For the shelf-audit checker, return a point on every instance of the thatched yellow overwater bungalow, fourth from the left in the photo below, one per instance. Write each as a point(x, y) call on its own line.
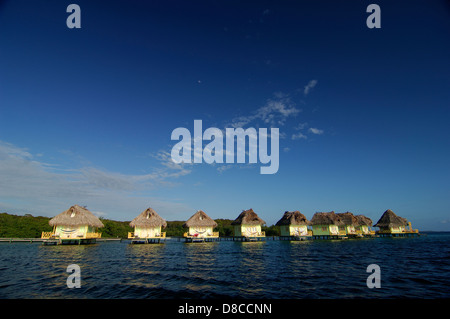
point(247, 226)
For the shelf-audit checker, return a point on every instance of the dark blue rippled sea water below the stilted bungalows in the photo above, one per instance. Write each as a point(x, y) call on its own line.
point(409, 268)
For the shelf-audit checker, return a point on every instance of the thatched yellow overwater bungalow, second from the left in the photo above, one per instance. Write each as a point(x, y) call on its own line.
point(147, 228)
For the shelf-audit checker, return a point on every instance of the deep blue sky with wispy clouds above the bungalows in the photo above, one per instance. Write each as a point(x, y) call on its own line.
point(86, 114)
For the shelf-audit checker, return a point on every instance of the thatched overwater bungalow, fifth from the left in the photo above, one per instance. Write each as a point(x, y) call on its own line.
point(294, 225)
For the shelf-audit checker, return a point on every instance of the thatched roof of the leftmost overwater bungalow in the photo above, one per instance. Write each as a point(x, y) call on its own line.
point(76, 216)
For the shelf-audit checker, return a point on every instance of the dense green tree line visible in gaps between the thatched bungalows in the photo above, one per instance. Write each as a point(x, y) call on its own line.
point(28, 226)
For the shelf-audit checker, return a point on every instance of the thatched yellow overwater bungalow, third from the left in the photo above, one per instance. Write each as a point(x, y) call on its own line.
point(200, 228)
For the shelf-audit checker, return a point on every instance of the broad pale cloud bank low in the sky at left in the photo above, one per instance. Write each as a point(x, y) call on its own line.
point(31, 186)
